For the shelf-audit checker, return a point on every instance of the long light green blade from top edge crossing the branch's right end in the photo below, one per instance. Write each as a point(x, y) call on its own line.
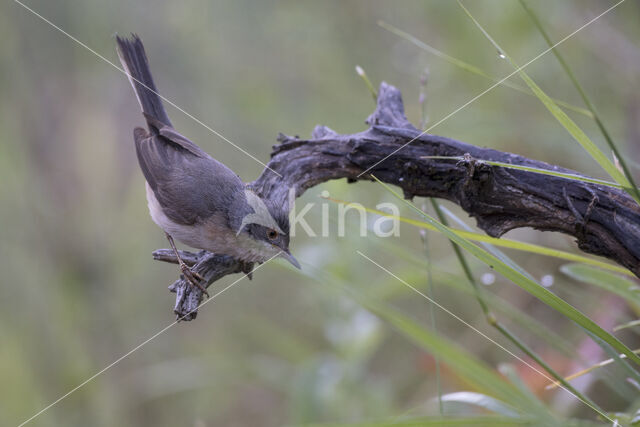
point(571, 127)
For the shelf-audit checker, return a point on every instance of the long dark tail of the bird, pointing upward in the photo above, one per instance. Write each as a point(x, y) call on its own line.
point(135, 63)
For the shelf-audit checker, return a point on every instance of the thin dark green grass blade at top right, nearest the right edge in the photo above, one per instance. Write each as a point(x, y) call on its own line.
point(585, 98)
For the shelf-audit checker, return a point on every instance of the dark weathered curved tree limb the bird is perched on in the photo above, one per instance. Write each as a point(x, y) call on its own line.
point(605, 221)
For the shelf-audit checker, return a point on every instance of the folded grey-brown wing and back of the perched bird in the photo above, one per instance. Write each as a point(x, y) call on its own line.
point(189, 184)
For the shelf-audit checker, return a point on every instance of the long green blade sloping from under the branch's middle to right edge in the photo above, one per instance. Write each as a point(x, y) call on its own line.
point(543, 294)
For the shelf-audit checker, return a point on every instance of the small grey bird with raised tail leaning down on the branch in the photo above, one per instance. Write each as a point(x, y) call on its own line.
point(192, 196)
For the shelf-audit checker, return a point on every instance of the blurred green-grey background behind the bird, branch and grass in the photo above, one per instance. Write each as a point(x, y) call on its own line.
point(79, 288)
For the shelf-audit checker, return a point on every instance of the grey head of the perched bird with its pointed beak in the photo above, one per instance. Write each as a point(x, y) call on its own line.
point(266, 224)
